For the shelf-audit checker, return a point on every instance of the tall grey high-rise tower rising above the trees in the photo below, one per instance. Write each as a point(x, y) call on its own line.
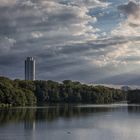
point(30, 68)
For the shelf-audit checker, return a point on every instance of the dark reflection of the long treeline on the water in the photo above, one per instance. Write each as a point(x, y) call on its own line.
point(47, 113)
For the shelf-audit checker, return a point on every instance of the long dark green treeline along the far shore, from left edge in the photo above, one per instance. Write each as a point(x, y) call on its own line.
point(19, 92)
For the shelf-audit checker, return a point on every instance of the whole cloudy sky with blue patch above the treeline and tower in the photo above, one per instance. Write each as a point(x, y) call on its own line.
point(91, 41)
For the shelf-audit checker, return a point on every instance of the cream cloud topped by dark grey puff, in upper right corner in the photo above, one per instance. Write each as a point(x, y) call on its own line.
point(131, 24)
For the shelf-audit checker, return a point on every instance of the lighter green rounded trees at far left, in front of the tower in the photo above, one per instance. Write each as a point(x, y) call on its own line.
point(16, 92)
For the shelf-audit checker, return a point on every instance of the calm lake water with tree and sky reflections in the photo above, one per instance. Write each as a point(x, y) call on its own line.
point(71, 122)
